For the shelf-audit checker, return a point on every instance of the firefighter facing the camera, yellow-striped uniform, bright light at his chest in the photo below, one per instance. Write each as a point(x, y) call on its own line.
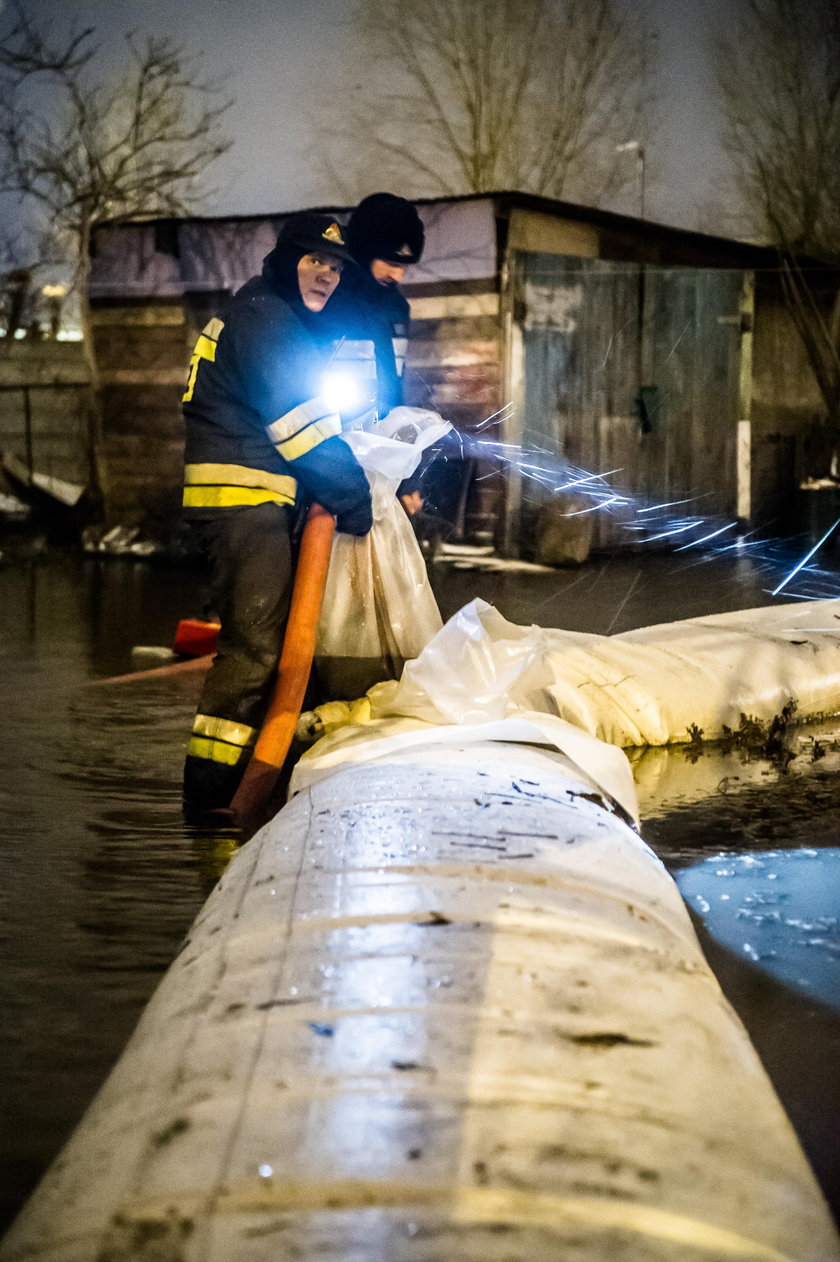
point(260, 439)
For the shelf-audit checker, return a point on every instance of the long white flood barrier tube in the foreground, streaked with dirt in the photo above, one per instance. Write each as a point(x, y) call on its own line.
point(446, 1008)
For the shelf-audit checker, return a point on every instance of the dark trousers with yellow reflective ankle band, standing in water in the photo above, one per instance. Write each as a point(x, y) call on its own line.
point(252, 576)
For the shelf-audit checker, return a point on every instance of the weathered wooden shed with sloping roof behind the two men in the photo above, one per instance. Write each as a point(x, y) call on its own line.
point(658, 365)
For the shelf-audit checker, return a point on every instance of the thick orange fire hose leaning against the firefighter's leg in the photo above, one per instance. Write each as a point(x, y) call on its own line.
point(252, 799)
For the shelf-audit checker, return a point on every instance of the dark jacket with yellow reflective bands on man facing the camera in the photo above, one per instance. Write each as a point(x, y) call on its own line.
point(257, 426)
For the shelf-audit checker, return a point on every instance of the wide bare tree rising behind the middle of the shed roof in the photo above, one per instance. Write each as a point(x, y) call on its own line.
point(470, 97)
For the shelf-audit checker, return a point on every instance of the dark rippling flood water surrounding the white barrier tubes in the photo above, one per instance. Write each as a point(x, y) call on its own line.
point(102, 878)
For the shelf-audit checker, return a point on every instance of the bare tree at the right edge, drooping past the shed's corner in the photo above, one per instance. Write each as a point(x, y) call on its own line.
point(780, 89)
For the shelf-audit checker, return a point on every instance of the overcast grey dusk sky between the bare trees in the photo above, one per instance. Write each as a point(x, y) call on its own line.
point(276, 52)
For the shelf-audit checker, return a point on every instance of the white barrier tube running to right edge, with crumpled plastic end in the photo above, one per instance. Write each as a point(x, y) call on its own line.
point(653, 687)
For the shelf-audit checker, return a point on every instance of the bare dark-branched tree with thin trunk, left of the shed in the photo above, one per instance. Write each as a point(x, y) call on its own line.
point(86, 150)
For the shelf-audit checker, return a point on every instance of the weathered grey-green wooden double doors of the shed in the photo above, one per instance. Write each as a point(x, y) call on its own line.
point(593, 334)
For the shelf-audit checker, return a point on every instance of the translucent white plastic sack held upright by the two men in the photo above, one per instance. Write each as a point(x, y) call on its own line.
point(379, 610)
